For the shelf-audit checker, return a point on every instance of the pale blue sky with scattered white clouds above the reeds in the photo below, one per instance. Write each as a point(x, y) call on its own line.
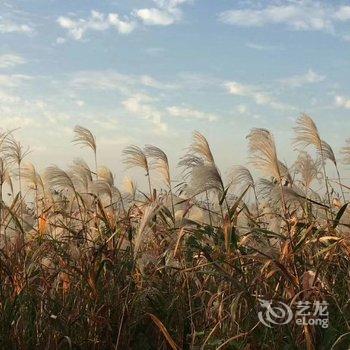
point(153, 71)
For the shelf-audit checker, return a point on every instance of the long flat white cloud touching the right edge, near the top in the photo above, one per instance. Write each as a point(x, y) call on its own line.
point(301, 15)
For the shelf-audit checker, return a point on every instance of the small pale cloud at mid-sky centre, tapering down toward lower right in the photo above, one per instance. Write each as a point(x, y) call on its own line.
point(141, 105)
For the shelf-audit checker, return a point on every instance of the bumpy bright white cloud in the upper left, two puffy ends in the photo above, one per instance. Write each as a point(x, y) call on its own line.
point(97, 21)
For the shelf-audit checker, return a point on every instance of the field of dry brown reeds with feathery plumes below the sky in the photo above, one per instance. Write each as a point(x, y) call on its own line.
point(85, 264)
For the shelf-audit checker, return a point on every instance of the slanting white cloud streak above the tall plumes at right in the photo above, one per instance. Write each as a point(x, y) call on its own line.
point(260, 97)
